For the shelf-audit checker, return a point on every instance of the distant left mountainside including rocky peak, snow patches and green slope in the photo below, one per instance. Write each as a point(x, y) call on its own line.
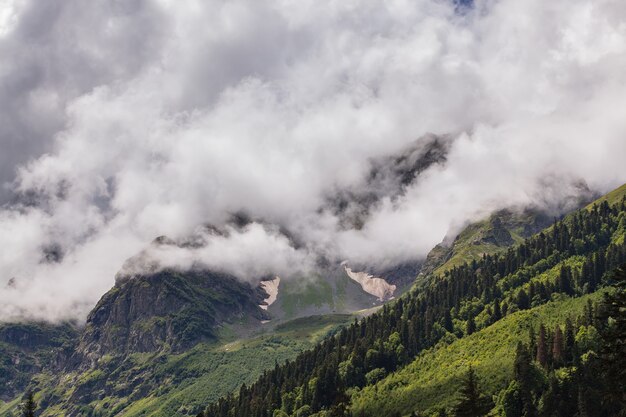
point(188, 327)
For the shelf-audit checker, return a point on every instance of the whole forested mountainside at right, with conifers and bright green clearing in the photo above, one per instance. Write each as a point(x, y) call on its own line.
point(407, 358)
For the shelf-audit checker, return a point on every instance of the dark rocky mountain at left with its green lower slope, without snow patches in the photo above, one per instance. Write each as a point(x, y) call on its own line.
point(162, 341)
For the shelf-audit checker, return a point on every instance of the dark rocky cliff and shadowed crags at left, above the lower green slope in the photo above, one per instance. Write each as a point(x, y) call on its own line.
point(149, 316)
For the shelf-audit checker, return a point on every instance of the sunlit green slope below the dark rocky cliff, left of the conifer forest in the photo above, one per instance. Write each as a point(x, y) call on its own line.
point(192, 379)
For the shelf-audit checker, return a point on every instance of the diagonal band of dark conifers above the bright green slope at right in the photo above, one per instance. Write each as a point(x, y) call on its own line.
point(462, 301)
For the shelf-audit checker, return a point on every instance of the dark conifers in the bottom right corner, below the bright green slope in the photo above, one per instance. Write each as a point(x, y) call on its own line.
point(578, 369)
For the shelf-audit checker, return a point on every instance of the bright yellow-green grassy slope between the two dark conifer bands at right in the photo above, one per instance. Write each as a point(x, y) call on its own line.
point(432, 380)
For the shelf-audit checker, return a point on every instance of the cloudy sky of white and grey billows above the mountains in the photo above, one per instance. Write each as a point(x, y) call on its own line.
point(121, 121)
